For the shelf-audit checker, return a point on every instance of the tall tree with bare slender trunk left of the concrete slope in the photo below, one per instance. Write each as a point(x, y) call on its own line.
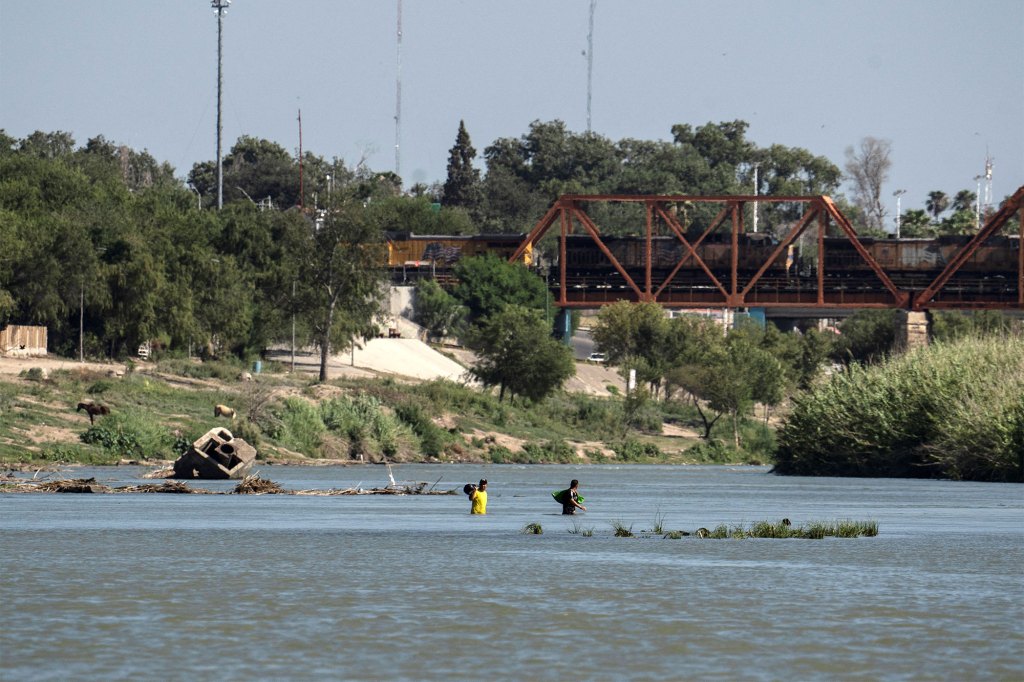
point(343, 283)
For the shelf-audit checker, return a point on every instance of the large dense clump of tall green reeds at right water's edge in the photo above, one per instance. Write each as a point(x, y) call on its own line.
point(951, 411)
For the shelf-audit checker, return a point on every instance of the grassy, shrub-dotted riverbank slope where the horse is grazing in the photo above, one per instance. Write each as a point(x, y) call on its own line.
point(158, 410)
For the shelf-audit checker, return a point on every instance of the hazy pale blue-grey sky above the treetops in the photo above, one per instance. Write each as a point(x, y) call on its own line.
point(944, 80)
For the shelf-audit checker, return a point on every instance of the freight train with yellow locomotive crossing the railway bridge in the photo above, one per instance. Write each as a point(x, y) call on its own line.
point(911, 264)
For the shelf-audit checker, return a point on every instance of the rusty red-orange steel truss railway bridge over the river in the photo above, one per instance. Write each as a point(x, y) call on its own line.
point(769, 281)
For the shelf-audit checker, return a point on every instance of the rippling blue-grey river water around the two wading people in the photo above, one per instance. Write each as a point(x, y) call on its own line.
point(180, 587)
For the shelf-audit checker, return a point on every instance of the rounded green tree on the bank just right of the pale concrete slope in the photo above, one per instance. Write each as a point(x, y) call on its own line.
point(517, 354)
